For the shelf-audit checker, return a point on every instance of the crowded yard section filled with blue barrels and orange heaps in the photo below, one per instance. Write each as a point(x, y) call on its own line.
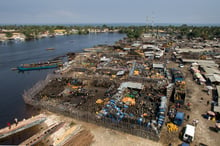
point(137, 105)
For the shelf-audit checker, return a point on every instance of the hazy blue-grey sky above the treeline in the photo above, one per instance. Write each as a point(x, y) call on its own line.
point(109, 11)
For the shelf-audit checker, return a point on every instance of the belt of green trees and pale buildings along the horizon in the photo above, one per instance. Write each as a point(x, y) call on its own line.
point(133, 32)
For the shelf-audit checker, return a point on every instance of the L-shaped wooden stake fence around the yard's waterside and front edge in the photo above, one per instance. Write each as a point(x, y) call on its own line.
point(135, 129)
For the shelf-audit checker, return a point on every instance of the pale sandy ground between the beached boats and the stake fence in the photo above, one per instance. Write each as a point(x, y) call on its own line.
point(94, 135)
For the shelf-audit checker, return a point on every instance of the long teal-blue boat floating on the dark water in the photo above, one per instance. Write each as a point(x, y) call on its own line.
point(39, 66)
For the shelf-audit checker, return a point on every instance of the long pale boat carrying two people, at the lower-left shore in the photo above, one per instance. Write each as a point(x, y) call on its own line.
point(22, 125)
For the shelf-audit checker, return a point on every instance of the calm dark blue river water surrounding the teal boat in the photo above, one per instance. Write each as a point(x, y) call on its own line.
point(13, 84)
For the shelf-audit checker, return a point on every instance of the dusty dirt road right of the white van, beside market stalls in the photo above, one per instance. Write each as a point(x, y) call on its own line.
point(203, 132)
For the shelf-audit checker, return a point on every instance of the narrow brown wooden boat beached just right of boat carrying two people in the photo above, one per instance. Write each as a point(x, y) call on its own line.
point(42, 135)
